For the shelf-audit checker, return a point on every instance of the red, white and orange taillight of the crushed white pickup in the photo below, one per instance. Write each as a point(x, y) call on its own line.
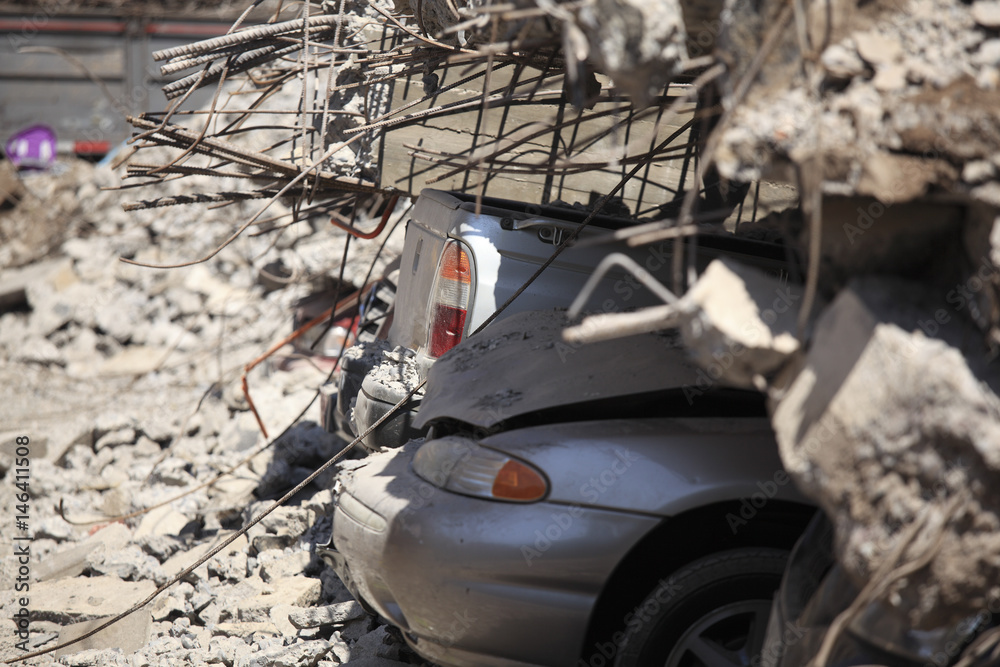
point(449, 306)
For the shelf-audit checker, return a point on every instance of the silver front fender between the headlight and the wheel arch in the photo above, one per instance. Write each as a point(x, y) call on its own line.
point(661, 467)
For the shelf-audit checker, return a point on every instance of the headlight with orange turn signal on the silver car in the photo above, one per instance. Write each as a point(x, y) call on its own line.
point(463, 466)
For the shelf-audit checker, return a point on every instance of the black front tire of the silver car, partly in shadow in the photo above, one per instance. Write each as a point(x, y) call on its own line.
point(710, 613)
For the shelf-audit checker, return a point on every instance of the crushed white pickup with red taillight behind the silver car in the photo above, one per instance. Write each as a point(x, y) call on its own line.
point(460, 262)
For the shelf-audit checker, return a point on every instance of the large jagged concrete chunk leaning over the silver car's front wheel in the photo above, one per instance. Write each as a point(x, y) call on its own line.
point(861, 430)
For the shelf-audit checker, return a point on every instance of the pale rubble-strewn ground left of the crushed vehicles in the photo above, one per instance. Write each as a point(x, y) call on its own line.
point(125, 380)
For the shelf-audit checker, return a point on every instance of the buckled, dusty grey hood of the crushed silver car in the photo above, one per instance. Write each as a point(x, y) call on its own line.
point(521, 365)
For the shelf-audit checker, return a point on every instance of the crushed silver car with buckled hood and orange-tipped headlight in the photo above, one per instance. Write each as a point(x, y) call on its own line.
point(581, 507)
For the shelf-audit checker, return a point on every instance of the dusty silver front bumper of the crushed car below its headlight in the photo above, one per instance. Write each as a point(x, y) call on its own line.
point(478, 583)
